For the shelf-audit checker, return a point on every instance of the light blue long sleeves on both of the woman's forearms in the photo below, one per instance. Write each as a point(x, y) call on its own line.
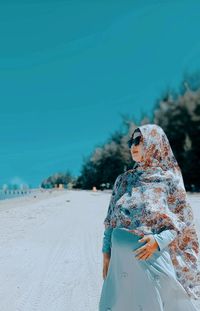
point(163, 239)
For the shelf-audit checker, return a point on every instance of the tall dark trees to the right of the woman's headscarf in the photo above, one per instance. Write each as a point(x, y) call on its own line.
point(179, 116)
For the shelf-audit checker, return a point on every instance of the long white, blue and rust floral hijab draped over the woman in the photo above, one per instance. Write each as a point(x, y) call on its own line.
point(151, 197)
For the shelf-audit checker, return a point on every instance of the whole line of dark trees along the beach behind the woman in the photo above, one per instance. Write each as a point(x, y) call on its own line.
point(177, 112)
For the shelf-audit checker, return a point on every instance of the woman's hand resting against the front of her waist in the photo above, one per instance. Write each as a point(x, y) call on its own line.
point(147, 250)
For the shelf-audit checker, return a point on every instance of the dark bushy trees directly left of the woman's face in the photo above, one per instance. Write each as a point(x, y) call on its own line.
point(109, 160)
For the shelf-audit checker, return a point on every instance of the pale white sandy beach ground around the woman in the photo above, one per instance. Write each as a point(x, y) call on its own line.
point(50, 250)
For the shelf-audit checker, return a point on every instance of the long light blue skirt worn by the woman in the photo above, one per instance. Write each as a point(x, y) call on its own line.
point(141, 285)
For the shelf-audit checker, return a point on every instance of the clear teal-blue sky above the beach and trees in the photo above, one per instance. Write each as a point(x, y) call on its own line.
point(69, 69)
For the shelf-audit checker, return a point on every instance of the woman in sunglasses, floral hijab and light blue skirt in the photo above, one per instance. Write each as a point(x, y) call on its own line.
point(150, 244)
